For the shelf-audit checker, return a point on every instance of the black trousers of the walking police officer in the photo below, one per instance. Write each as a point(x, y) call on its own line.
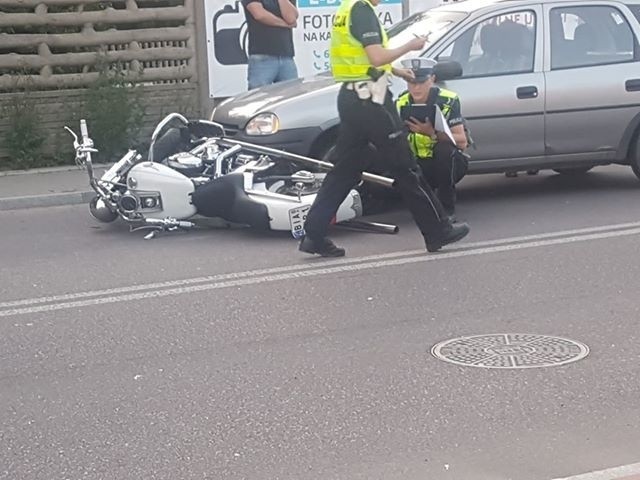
point(364, 122)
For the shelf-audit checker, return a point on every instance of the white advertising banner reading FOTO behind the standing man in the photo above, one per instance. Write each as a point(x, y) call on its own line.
point(227, 40)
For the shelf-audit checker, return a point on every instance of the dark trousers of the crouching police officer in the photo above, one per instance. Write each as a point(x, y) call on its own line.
point(439, 172)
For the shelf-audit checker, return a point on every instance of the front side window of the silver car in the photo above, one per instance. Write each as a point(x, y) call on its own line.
point(504, 44)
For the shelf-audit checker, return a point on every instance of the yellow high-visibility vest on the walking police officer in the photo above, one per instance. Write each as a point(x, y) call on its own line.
point(348, 58)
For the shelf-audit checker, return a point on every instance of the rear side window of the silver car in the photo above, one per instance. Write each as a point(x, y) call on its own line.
point(590, 35)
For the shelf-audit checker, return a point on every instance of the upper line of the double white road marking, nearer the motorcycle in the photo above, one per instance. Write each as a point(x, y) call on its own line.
point(306, 266)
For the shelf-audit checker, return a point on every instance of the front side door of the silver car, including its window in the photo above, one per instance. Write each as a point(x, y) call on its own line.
point(502, 89)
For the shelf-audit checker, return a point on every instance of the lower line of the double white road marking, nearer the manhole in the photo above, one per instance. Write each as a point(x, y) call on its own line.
point(297, 271)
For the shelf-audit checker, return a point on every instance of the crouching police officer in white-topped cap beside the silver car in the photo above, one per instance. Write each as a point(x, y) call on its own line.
point(442, 162)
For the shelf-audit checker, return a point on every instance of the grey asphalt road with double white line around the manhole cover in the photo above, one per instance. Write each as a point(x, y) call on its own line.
point(227, 354)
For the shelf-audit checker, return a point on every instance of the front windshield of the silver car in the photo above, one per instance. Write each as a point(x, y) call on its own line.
point(432, 24)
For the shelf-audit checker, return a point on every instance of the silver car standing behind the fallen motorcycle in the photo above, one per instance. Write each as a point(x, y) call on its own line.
point(546, 84)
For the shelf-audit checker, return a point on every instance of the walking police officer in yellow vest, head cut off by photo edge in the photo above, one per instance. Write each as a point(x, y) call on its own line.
point(361, 61)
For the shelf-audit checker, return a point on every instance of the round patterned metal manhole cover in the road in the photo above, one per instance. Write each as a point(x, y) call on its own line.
point(510, 350)
